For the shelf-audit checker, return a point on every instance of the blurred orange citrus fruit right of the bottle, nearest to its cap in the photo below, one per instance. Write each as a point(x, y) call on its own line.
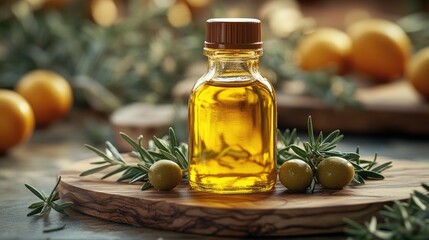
point(324, 48)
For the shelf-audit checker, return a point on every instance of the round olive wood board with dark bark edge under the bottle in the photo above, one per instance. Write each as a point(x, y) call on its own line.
point(275, 213)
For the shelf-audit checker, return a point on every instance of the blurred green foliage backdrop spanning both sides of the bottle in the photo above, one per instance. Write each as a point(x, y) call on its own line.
point(116, 52)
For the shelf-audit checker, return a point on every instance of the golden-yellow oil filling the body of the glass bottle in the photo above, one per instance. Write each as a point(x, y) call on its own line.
point(232, 137)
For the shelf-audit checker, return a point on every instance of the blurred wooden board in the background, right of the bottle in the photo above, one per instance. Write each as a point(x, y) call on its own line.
point(393, 107)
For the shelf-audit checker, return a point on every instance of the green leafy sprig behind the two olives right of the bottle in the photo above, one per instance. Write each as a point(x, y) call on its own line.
point(317, 149)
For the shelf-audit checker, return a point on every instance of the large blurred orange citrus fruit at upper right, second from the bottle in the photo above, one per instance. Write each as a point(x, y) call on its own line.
point(380, 49)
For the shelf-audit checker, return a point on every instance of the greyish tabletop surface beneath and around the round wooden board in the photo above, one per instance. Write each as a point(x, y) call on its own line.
point(49, 150)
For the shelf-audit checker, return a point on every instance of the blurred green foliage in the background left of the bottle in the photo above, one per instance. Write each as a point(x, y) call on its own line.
point(138, 58)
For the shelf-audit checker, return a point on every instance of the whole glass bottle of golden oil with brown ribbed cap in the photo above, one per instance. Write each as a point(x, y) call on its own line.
point(232, 113)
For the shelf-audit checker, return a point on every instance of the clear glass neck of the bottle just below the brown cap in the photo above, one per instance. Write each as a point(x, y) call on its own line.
point(233, 65)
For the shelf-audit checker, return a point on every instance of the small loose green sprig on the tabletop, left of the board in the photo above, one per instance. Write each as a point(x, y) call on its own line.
point(43, 207)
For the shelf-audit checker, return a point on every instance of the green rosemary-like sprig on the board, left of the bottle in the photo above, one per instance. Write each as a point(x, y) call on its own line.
point(168, 148)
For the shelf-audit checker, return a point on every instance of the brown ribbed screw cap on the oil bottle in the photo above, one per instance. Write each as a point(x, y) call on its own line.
point(233, 33)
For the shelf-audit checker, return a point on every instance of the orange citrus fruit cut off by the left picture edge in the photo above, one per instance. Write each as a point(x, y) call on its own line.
point(16, 120)
